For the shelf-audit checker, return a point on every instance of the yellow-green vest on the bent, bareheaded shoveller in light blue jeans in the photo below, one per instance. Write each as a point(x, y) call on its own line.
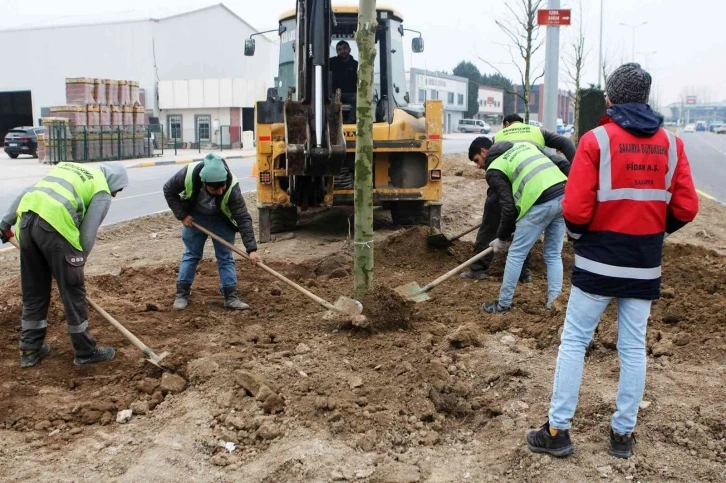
point(530, 172)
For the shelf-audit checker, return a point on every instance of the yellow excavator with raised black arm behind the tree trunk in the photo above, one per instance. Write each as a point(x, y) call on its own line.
point(305, 129)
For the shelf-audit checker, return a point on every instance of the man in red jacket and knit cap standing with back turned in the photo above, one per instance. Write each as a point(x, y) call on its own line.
point(630, 186)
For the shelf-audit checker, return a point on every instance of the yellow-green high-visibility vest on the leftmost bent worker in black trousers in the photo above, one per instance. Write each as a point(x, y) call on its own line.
point(62, 196)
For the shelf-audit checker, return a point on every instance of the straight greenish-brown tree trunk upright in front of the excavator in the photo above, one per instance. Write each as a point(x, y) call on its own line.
point(363, 187)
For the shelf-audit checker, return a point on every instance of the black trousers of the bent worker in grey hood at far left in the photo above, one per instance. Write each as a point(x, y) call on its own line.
point(46, 255)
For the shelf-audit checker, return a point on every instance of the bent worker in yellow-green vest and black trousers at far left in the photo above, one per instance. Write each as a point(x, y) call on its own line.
point(58, 219)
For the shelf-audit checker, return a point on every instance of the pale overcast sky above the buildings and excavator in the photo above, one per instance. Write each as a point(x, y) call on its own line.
point(687, 39)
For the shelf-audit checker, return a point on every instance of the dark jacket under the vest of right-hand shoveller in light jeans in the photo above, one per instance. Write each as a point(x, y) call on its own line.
point(501, 185)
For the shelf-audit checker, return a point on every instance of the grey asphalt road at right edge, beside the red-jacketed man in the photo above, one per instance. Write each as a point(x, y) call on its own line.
point(707, 154)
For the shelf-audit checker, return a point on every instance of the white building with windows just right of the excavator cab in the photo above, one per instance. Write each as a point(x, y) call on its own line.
point(452, 91)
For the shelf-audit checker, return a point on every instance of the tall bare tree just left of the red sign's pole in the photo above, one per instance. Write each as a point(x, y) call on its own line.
point(523, 32)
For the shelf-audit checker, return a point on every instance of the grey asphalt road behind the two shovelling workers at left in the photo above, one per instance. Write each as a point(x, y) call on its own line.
point(143, 196)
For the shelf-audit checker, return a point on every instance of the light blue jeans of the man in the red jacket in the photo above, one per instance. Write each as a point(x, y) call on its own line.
point(583, 314)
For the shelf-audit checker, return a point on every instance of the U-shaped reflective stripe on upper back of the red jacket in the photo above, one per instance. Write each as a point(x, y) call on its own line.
point(606, 191)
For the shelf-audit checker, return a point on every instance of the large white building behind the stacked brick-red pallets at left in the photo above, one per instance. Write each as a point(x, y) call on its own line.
point(190, 65)
